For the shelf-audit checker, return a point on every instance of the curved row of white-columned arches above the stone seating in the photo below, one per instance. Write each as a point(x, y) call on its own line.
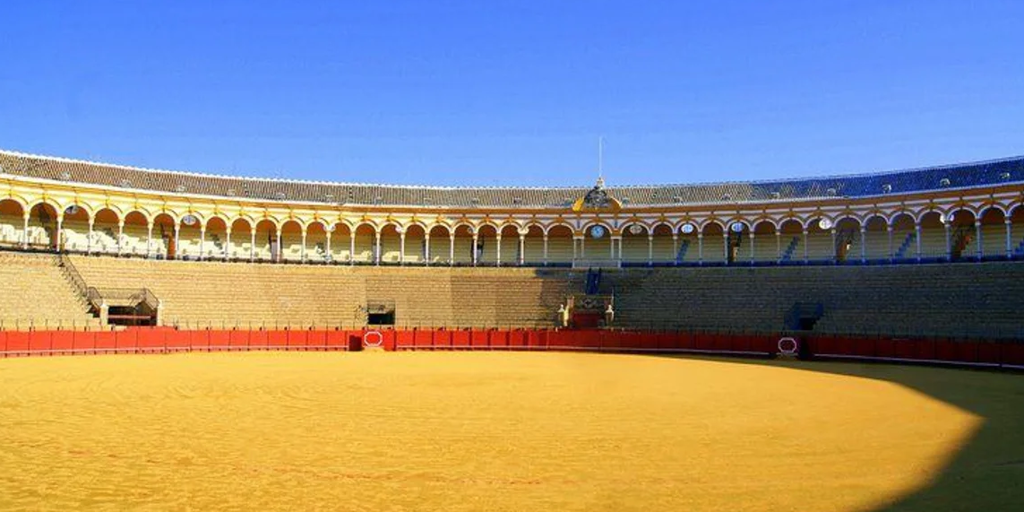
point(957, 234)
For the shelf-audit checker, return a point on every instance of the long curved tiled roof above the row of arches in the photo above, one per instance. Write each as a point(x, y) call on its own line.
point(957, 177)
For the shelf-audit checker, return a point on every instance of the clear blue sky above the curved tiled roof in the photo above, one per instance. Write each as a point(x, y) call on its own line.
point(516, 93)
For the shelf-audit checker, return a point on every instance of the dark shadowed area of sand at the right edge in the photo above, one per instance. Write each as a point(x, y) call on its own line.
point(988, 475)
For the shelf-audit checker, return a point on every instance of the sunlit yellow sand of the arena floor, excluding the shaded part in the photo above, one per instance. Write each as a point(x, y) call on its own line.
point(460, 432)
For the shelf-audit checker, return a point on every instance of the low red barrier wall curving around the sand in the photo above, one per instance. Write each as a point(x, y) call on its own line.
point(161, 340)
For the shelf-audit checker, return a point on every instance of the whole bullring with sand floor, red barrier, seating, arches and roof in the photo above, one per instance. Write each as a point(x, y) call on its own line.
point(179, 340)
